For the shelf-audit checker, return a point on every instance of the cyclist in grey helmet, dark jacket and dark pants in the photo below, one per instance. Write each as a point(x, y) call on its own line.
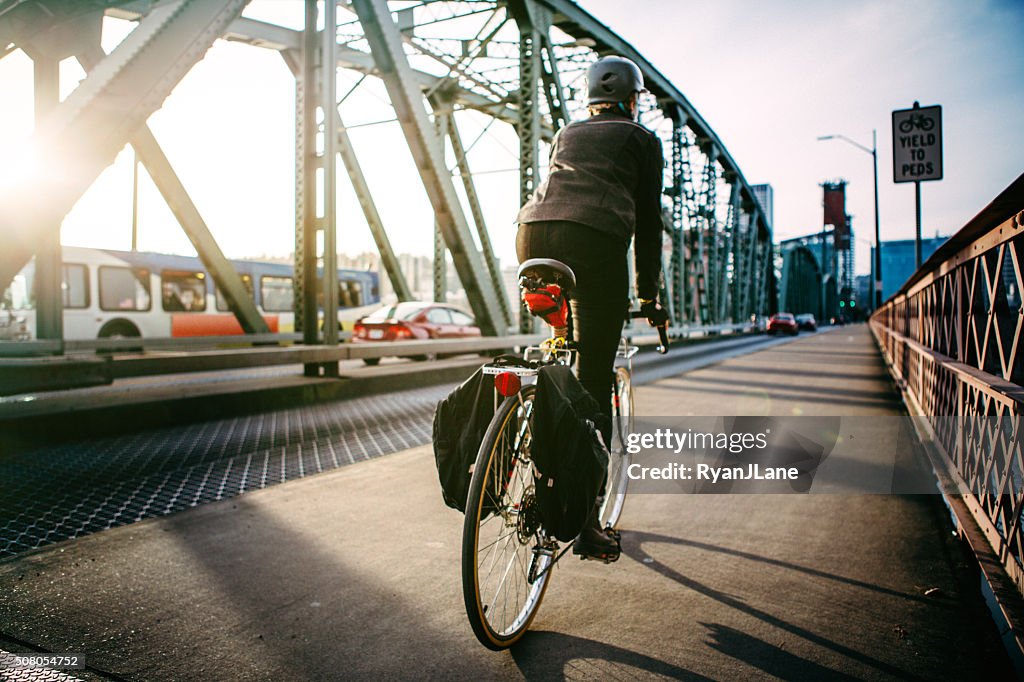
point(604, 189)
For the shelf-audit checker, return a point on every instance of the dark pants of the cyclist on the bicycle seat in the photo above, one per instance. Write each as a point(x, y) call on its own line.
point(600, 302)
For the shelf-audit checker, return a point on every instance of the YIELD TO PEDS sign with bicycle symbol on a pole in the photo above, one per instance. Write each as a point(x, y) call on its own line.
point(918, 145)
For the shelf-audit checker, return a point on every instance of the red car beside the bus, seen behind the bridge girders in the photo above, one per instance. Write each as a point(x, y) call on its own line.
point(412, 321)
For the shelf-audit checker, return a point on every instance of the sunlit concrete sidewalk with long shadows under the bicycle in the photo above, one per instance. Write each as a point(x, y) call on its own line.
point(355, 574)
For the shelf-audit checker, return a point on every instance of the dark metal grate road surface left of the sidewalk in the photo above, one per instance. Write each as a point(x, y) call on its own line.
point(67, 491)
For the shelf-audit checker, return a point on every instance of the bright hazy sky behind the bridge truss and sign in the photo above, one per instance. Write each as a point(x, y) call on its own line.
point(769, 77)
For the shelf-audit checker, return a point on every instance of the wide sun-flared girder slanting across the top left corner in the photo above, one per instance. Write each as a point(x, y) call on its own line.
point(86, 133)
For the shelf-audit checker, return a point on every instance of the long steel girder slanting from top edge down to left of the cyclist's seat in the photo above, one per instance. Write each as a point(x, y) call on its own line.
point(387, 46)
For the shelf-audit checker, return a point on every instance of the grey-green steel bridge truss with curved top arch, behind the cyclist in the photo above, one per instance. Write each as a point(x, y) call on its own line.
point(523, 63)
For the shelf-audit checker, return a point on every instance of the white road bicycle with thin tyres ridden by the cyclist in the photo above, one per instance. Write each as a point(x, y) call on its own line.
point(507, 556)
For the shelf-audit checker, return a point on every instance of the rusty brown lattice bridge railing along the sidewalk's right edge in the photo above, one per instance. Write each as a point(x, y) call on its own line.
point(952, 337)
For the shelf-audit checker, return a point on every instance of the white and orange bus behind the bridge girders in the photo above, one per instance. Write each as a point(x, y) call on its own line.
point(136, 294)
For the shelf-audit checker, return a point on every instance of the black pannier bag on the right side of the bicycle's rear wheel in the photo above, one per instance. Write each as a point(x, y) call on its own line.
point(567, 451)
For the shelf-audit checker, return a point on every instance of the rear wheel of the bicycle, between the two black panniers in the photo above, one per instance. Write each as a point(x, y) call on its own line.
point(505, 556)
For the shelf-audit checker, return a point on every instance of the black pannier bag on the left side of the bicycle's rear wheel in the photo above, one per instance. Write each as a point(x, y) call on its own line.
point(460, 422)
